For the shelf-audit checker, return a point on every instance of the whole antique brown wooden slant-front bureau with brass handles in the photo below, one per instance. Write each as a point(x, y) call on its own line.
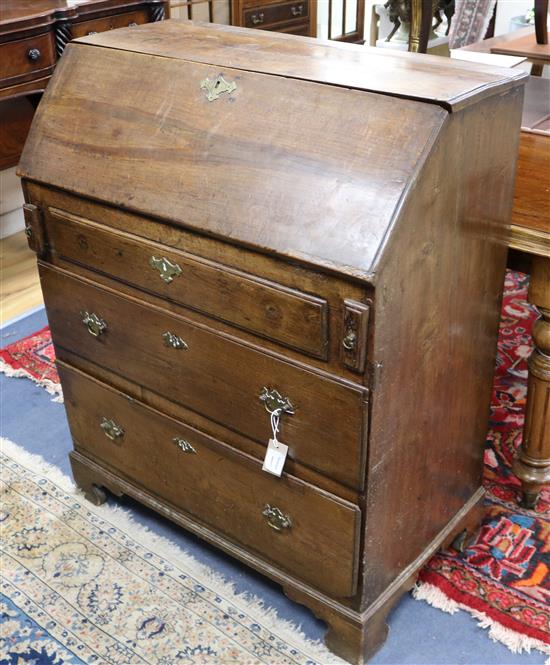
point(237, 228)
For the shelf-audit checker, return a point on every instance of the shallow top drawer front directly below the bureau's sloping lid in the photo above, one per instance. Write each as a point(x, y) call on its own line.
point(283, 315)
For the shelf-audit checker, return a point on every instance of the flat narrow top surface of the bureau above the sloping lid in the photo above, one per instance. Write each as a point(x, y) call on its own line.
point(450, 83)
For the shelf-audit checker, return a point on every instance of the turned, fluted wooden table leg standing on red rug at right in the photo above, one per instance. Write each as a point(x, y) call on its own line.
point(532, 464)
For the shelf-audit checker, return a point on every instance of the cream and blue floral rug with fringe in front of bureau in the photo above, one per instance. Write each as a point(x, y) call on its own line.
point(84, 584)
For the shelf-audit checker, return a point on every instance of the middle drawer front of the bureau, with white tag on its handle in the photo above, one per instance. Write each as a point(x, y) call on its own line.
point(210, 373)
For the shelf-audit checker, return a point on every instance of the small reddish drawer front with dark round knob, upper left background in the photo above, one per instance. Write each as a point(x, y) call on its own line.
point(26, 56)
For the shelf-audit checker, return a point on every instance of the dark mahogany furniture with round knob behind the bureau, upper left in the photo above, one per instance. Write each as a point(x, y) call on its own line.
point(33, 35)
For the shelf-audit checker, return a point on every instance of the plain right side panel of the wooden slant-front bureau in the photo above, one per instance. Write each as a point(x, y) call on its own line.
point(437, 313)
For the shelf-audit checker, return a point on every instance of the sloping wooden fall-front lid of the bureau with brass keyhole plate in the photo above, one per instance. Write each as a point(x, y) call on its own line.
point(261, 165)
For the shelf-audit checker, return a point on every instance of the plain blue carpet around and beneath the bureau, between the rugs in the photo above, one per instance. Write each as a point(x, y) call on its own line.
point(418, 635)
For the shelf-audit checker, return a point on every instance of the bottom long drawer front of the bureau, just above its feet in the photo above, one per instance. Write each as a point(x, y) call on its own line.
point(303, 530)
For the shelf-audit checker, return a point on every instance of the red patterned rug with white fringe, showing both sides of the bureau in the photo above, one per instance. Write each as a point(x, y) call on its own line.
point(503, 577)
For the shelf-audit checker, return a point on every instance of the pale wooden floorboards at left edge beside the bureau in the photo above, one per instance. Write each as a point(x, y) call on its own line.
point(19, 283)
